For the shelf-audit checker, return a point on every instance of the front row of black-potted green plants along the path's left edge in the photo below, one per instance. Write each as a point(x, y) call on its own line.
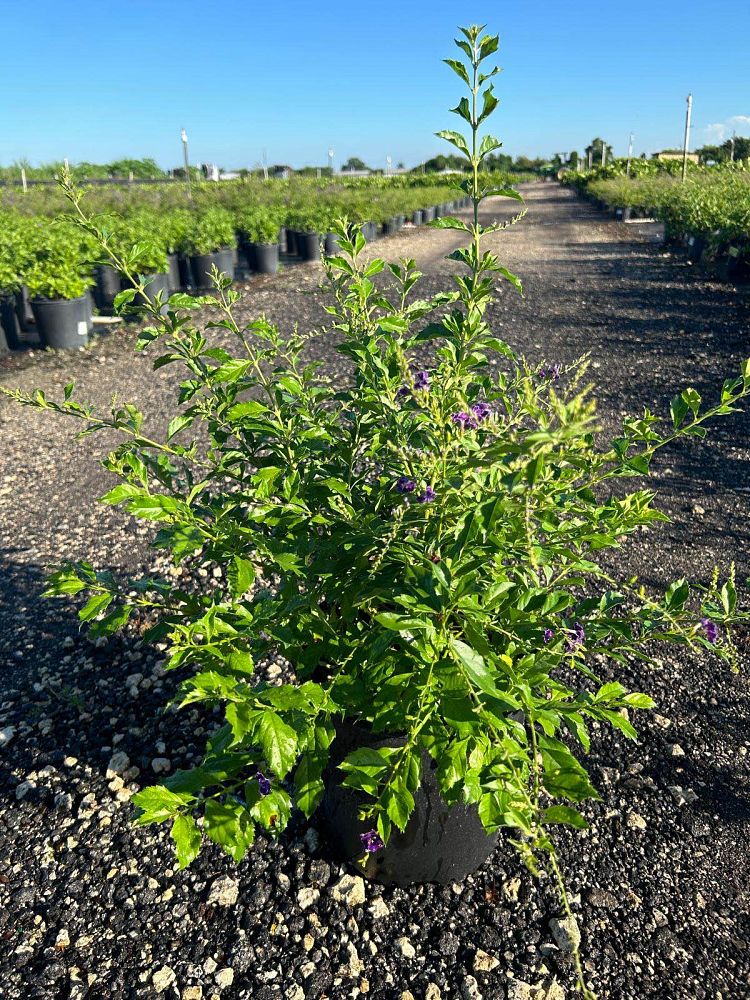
point(47, 270)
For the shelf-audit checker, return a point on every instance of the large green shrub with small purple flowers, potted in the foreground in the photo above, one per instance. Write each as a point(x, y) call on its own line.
point(420, 545)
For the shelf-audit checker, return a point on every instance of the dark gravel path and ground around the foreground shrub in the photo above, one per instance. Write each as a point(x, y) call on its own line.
point(92, 907)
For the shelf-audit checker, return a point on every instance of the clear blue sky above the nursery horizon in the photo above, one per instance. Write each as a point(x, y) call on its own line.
point(96, 81)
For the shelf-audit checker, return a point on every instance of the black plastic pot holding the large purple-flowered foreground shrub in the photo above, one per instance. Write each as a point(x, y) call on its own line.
point(440, 844)
